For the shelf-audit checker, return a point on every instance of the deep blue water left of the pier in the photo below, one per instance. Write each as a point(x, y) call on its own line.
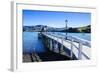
point(31, 43)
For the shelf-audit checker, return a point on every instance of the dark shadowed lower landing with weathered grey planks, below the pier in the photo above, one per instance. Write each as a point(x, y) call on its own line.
point(46, 56)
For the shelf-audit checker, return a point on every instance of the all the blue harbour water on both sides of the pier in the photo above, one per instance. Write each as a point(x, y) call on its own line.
point(31, 43)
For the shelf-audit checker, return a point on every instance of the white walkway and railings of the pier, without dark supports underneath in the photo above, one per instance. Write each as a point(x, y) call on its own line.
point(75, 44)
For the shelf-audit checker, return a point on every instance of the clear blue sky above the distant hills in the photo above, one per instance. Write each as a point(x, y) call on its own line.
point(55, 19)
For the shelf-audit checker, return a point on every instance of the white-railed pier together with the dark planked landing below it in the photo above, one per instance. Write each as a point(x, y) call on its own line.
point(59, 48)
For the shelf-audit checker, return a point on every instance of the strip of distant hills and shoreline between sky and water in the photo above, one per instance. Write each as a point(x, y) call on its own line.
point(40, 28)
